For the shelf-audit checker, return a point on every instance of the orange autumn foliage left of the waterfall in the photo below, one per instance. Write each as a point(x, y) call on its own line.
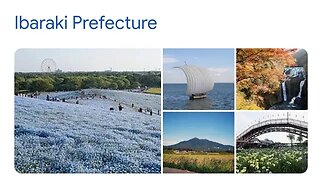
point(259, 73)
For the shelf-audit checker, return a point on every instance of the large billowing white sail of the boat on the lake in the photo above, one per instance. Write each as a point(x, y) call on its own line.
point(199, 80)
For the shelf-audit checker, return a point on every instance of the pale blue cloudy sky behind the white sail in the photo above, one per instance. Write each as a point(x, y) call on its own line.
point(220, 62)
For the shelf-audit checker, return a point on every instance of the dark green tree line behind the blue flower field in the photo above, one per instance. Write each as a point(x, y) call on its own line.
point(71, 81)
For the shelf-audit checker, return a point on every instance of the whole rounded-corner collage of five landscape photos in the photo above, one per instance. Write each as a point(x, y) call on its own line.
point(171, 110)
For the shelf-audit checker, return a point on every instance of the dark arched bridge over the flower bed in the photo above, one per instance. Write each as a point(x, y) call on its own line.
point(289, 125)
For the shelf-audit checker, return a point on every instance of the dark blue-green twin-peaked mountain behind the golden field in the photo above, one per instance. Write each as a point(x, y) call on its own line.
point(197, 144)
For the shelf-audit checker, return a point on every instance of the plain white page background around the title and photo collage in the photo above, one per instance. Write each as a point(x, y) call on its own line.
point(194, 24)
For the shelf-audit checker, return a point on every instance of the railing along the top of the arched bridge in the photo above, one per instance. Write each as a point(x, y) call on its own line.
point(275, 121)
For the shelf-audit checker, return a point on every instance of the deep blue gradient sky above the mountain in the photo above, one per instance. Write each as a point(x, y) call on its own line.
point(214, 126)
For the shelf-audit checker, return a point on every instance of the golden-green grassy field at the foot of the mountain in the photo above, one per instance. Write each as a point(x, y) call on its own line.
point(200, 163)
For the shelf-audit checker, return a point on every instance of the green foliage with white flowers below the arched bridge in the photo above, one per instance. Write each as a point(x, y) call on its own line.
point(286, 160)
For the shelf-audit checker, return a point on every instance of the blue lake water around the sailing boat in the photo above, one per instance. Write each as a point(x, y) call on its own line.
point(221, 97)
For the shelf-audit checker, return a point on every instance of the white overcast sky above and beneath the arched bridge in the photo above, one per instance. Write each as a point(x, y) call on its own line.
point(246, 119)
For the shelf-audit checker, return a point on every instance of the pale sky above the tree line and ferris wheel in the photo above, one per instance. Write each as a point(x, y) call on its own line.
point(29, 60)
